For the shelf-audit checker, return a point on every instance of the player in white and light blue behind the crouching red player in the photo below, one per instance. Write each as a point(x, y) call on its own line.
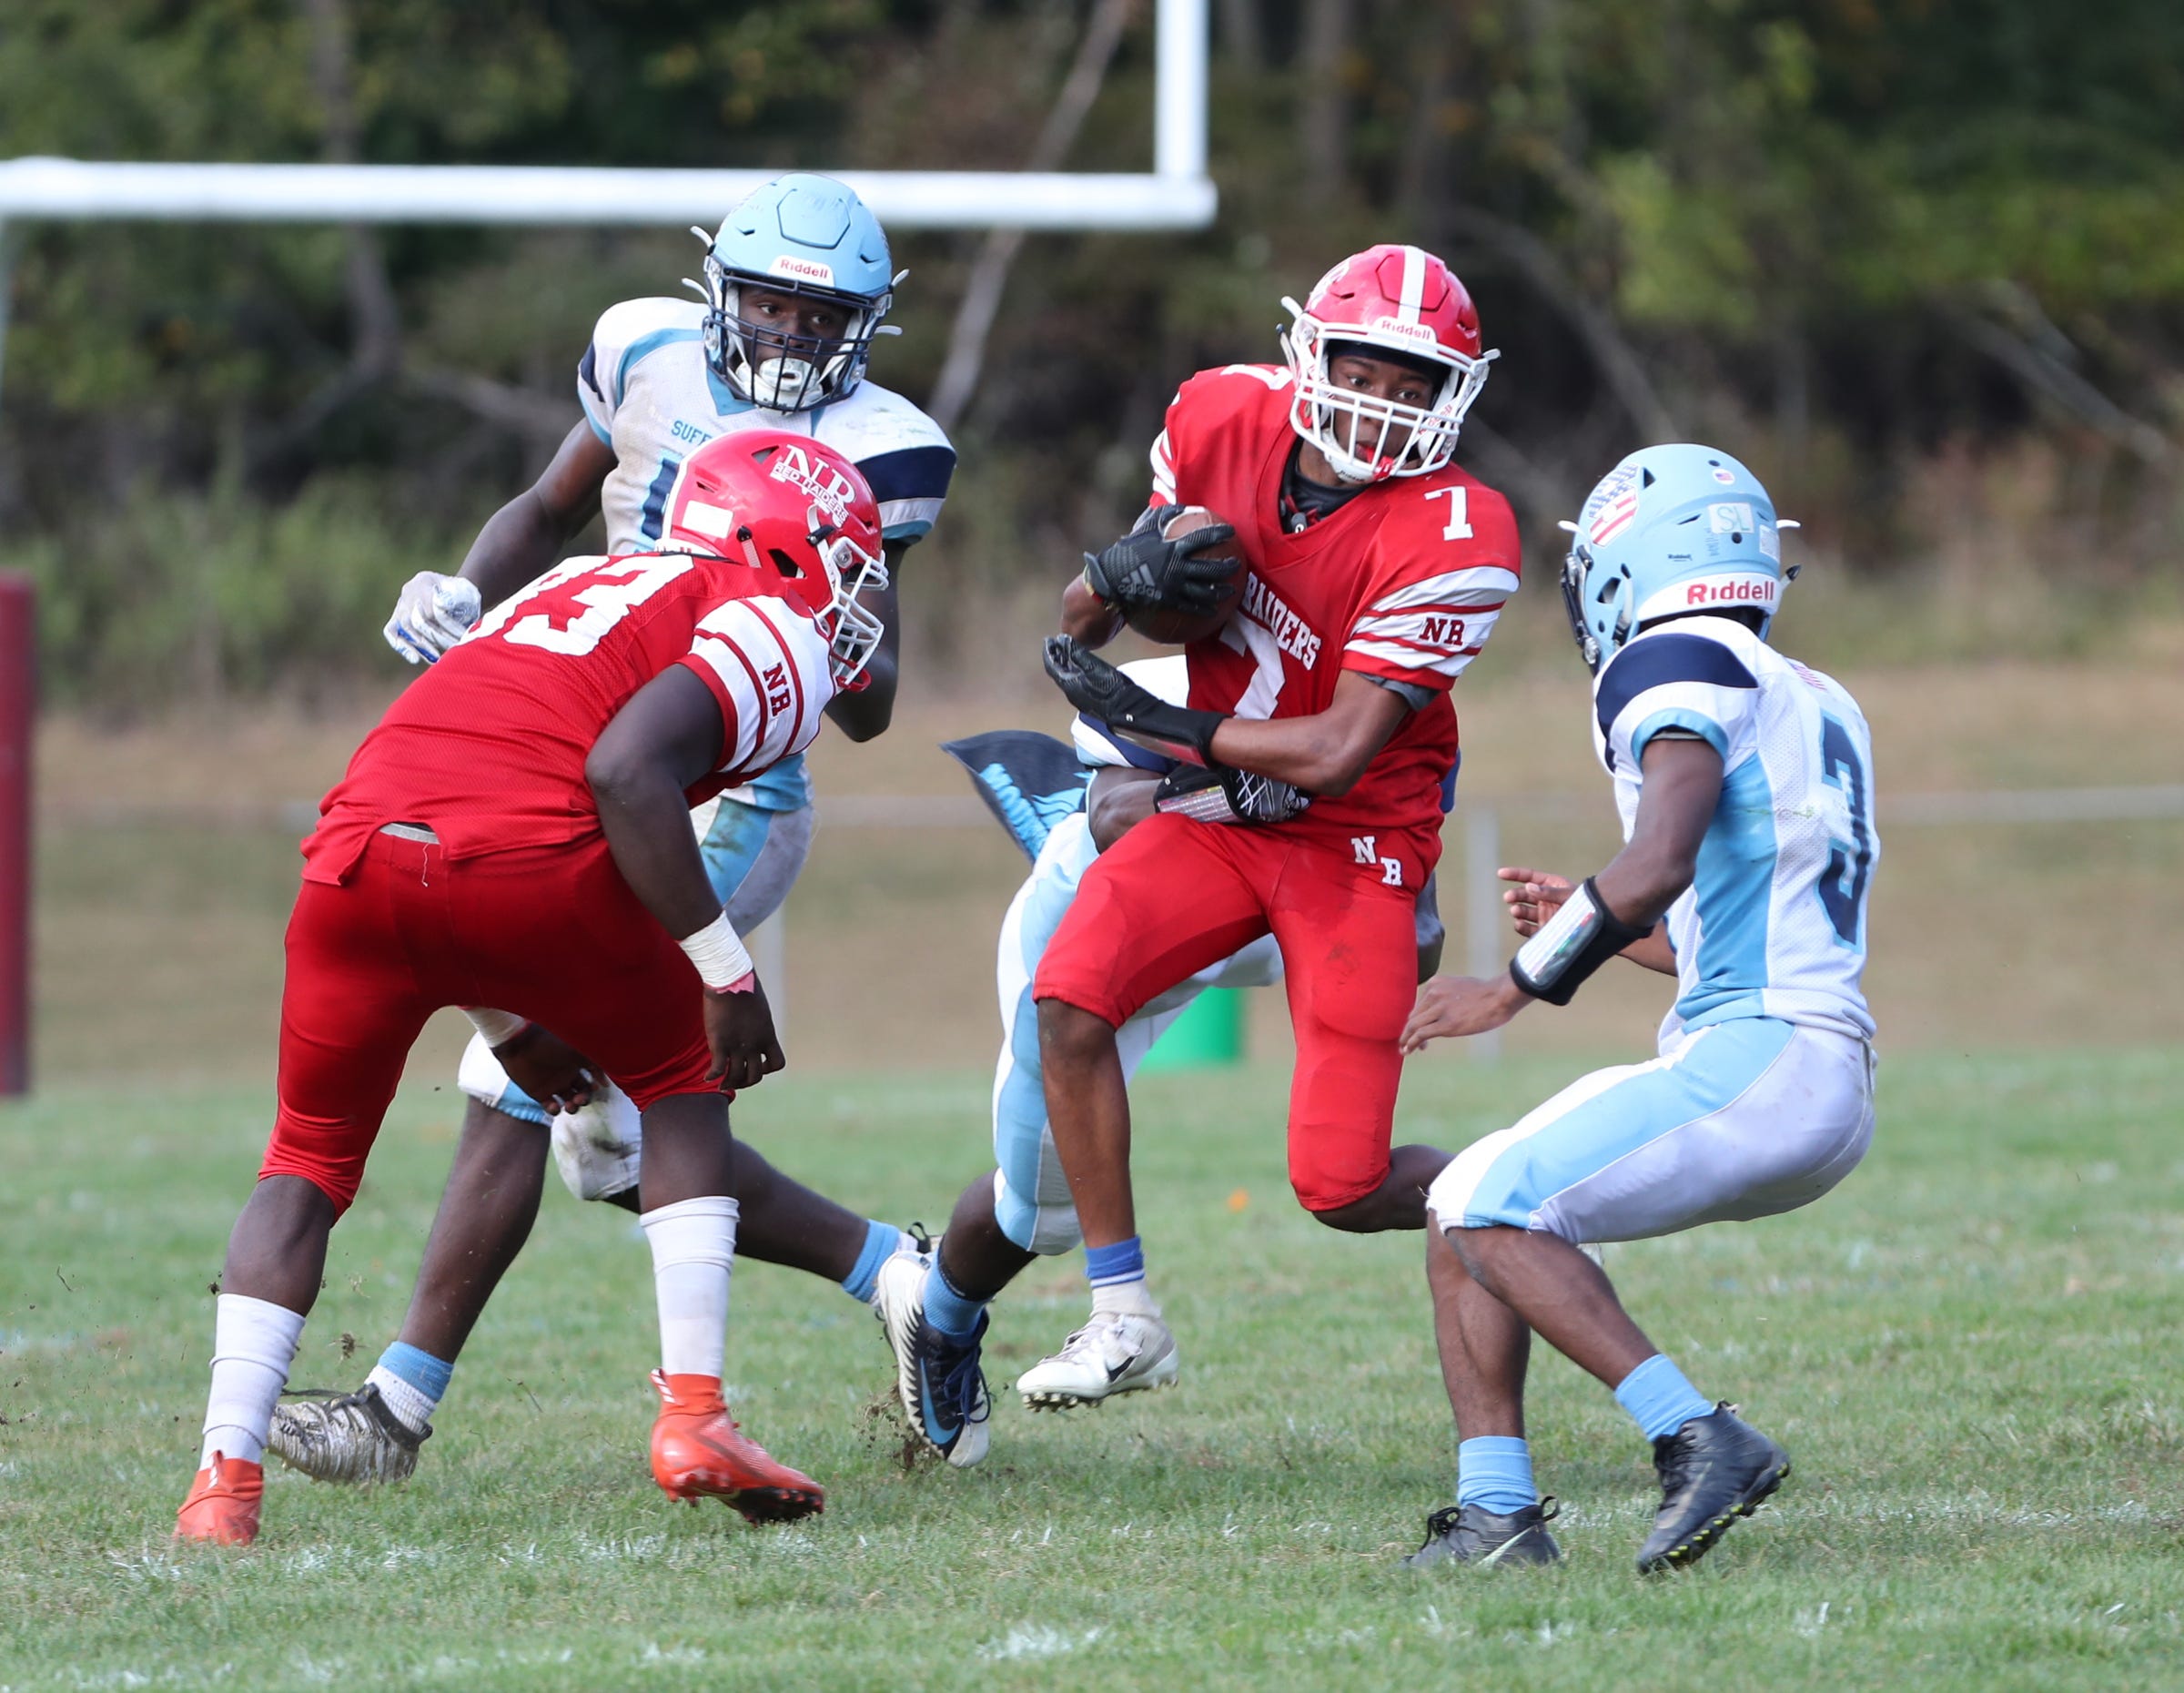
point(798, 283)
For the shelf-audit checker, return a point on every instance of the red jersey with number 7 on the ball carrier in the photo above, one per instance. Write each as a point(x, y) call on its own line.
point(1403, 582)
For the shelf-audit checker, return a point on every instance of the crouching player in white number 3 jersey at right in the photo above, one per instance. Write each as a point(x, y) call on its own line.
point(1746, 794)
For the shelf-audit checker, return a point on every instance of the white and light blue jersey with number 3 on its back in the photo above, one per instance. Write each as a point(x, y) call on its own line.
point(1774, 921)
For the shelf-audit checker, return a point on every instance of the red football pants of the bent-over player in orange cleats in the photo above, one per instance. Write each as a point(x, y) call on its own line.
point(551, 934)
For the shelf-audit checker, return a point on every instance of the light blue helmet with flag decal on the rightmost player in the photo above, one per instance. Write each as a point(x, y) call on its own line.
point(1670, 530)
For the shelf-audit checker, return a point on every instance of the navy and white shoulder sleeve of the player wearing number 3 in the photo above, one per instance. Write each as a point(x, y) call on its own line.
point(1687, 676)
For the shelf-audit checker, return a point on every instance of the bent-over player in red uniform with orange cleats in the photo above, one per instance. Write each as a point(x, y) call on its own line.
point(549, 766)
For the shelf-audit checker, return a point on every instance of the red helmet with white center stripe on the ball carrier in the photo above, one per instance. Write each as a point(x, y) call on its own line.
point(1397, 300)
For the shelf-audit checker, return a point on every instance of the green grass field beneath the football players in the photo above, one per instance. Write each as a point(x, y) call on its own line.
point(1971, 1349)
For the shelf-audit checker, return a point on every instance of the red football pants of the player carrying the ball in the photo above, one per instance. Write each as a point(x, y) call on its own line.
point(1176, 897)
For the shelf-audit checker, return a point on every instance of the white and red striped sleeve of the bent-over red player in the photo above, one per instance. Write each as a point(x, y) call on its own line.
point(765, 665)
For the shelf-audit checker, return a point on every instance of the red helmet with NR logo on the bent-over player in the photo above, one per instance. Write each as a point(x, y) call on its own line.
point(790, 506)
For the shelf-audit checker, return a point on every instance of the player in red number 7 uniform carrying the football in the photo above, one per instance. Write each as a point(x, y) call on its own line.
point(1377, 569)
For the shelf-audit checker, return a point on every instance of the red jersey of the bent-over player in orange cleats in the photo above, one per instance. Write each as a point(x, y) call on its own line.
point(488, 748)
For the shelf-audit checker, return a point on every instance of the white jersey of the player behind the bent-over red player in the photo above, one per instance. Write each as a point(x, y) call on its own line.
point(652, 396)
